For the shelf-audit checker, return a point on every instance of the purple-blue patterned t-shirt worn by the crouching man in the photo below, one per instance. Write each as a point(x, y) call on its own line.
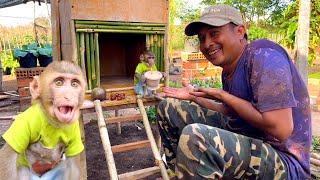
point(266, 77)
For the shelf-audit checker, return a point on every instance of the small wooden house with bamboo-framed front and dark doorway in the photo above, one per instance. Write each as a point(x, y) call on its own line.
point(106, 37)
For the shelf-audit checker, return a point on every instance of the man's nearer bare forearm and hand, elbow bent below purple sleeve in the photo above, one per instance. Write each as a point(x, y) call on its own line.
point(278, 123)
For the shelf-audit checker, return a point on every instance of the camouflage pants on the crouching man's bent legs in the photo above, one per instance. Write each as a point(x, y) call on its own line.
point(200, 145)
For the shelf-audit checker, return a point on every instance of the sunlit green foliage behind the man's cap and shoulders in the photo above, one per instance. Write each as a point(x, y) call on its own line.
point(273, 19)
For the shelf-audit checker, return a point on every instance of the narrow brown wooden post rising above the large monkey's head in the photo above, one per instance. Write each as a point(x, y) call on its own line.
point(56, 39)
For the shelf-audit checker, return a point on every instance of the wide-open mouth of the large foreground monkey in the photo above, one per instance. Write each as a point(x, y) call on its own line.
point(64, 113)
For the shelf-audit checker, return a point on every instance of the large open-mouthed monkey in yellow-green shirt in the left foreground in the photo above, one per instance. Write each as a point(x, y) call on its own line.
point(44, 141)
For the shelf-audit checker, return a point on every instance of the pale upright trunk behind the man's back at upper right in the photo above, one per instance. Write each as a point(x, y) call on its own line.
point(302, 39)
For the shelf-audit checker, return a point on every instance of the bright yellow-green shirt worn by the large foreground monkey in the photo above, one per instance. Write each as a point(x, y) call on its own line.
point(31, 126)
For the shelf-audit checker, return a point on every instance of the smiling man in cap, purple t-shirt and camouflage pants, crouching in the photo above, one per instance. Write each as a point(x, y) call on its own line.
point(257, 127)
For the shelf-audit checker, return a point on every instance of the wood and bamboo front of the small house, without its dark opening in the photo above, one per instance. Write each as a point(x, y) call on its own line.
point(77, 26)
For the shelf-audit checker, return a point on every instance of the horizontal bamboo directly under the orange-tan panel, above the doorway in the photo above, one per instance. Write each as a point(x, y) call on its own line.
point(137, 27)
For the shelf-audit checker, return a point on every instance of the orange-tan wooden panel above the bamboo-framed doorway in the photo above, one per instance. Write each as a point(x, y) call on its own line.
point(153, 11)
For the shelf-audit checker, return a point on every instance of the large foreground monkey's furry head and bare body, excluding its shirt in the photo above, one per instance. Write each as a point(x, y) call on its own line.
point(60, 92)
